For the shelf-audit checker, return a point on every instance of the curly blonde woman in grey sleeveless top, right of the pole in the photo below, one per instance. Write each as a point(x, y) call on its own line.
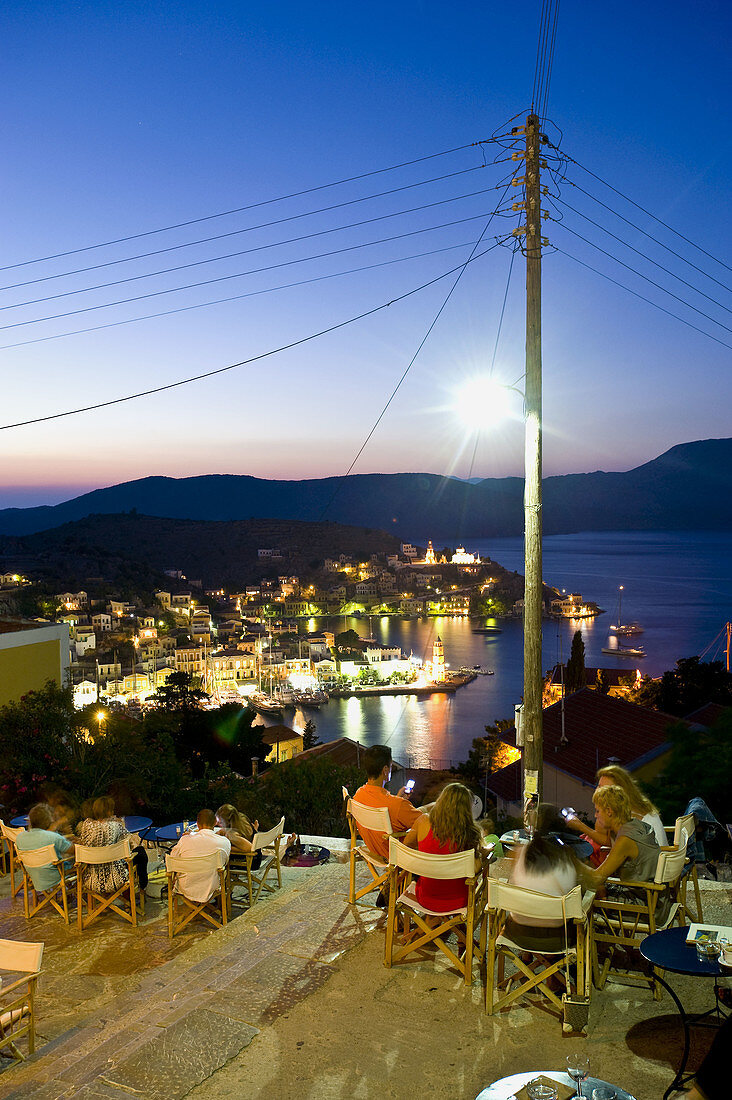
point(635, 853)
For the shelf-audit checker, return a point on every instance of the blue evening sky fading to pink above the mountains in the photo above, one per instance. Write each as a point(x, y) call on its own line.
point(125, 119)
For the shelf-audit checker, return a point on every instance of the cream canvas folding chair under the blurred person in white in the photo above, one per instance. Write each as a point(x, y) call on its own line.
point(571, 909)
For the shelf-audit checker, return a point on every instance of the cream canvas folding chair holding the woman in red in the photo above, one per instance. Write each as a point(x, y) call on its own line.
point(432, 927)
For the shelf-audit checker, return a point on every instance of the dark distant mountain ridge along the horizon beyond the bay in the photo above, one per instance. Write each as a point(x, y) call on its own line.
point(687, 488)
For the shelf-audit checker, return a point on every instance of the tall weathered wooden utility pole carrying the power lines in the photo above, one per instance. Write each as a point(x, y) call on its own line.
point(533, 749)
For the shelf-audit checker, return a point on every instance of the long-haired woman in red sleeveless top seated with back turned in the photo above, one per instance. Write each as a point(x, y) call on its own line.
point(449, 828)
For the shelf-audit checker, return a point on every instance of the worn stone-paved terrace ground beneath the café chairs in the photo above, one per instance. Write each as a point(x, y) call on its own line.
point(292, 1000)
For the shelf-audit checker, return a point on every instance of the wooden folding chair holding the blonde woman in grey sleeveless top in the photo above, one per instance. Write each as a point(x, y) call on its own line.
point(622, 926)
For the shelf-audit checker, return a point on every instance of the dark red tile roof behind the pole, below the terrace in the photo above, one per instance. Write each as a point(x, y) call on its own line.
point(597, 729)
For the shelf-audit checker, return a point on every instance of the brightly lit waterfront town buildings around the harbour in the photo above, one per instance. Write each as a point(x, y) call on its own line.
point(265, 641)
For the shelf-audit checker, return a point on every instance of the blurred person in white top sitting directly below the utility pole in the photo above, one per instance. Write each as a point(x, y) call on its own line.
point(547, 866)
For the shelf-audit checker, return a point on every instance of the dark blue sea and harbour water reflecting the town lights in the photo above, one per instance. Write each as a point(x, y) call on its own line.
point(678, 586)
